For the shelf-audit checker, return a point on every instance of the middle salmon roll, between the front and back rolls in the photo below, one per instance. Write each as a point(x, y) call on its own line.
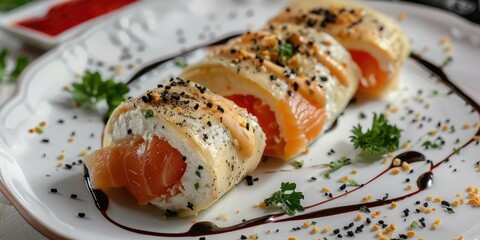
point(296, 81)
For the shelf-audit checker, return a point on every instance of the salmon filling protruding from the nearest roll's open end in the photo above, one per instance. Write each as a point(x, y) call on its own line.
point(147, 169)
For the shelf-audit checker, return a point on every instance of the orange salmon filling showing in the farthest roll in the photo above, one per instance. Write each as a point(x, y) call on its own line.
point(375, 79)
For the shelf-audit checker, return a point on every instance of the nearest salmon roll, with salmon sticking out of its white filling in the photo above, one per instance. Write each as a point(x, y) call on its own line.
point(179, 147)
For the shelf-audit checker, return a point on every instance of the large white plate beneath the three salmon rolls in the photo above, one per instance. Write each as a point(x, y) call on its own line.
point(28, 167)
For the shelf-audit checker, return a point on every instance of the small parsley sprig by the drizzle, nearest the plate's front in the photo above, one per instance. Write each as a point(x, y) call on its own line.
point(286, 198)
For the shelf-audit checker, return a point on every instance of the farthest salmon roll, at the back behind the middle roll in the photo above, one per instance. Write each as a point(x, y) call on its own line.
point(377, 44)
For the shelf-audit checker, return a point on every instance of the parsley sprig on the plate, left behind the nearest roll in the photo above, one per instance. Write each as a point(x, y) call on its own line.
point(93, 89)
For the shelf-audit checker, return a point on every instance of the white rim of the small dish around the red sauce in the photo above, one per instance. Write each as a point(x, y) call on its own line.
point(40, 8)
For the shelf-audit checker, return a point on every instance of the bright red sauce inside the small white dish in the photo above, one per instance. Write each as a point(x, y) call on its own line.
point(68, 14)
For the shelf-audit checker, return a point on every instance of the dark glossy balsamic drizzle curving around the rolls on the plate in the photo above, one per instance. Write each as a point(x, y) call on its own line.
point(209, 228)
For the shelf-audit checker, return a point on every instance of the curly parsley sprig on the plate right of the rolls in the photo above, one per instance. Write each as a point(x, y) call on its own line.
point(381, 138)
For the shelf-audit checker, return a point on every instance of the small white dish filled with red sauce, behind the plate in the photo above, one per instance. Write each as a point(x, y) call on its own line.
point(48, 23)
